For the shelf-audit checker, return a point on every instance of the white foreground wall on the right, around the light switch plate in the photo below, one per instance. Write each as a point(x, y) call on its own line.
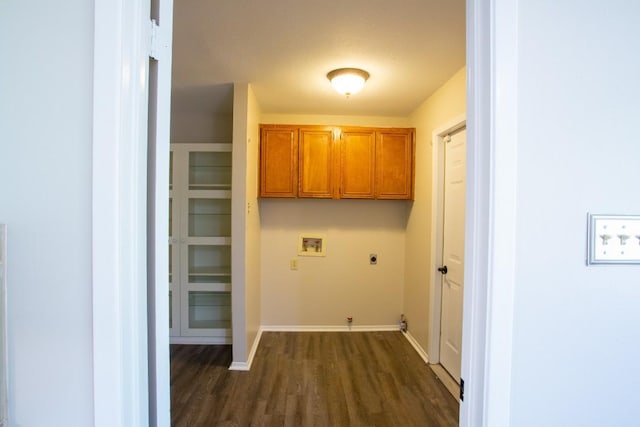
point(576, 330)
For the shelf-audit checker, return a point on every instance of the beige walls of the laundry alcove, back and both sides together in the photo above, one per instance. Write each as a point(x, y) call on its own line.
point(325, 290)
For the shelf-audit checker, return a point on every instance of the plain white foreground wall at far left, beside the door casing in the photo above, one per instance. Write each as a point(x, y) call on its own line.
point(45, 198)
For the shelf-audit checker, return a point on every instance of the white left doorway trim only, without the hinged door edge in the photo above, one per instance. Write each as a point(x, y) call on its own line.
point(119, 217)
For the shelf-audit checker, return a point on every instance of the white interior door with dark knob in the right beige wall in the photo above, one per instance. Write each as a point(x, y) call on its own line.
point(452, 268)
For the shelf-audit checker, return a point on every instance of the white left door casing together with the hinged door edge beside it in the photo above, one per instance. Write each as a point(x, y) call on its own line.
point(129, 213)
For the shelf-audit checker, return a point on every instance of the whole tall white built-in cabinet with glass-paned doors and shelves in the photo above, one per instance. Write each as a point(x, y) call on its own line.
point(200, 243)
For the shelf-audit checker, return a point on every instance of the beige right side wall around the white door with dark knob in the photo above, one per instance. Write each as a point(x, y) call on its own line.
point(445, 104)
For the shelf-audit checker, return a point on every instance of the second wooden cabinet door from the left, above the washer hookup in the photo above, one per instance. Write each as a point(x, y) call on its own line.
point(316, 163)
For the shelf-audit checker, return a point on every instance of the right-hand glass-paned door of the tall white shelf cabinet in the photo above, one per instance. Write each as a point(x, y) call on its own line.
point(205, 289)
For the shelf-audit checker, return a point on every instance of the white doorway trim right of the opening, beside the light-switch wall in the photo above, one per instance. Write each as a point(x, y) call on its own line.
point(492, 105)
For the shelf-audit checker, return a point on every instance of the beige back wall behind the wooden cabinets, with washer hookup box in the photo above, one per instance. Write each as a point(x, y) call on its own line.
point(325, 290)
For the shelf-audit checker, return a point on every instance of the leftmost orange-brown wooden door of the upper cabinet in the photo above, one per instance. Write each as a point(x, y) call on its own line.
point(278, 162)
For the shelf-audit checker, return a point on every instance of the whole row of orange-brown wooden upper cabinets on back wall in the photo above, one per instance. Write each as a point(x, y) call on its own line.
point(343, 163)
